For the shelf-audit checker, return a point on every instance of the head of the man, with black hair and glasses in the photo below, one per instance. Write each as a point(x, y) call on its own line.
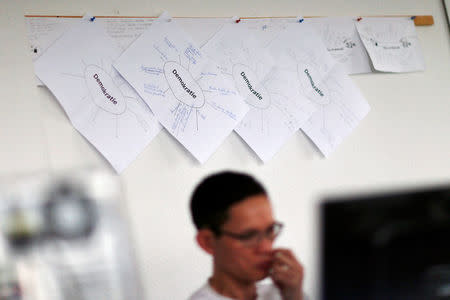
point(235, 225)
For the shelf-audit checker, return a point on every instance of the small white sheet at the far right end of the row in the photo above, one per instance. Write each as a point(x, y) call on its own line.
point(392, 44)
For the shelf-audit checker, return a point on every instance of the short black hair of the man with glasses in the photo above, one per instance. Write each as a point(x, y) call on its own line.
point(215, 194)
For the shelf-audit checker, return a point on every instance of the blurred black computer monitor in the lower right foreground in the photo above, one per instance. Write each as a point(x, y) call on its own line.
point(386, 246)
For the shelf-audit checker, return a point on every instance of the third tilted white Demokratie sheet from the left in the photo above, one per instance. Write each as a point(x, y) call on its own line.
point(276, 107)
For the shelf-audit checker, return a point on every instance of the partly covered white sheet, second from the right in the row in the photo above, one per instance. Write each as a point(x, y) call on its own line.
point(341, 38)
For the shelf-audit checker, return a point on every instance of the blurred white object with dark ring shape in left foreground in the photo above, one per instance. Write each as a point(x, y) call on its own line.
point(65, 237)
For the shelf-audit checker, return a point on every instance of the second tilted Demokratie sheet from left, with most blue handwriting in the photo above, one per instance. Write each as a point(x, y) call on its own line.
point(185, 90)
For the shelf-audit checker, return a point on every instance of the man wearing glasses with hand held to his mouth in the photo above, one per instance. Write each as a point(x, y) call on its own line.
point(233, 216)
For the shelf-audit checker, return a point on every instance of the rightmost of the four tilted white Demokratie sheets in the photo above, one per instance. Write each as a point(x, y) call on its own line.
point(328, 87)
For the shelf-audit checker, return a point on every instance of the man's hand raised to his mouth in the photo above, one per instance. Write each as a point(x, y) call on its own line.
point(287, 274)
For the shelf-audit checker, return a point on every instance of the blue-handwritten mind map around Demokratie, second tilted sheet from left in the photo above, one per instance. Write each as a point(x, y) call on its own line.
point(191, 90)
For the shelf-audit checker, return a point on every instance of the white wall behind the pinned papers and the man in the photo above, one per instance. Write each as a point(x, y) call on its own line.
point(404, 141)
